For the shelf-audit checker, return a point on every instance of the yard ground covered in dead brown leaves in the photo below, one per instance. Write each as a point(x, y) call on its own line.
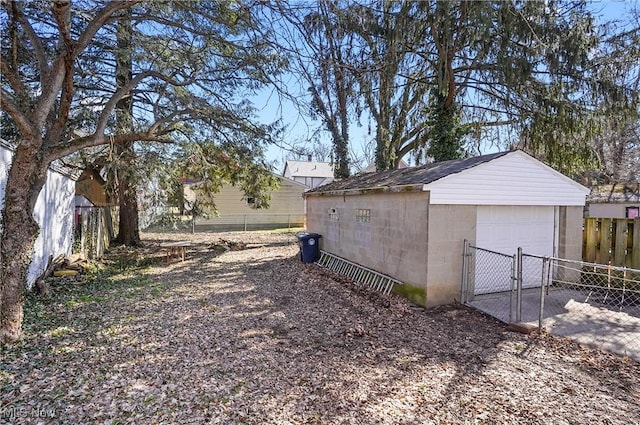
point(254, 336)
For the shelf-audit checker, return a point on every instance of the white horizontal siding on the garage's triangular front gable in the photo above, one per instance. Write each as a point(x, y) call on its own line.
point(513, 179)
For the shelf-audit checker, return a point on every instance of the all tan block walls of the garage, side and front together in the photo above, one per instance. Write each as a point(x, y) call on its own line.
point(417, 243)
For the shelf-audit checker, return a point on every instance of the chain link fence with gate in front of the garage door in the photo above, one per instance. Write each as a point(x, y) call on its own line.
point(595, 304)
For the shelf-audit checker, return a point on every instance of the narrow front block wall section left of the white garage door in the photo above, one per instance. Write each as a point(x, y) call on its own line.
point(449, 226)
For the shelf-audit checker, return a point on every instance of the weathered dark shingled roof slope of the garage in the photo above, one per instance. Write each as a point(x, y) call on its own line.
point(407, 176)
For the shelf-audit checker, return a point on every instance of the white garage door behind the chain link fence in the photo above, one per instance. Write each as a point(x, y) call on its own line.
point(504, 229)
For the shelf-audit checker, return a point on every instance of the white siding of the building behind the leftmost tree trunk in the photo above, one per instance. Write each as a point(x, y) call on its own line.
point(53, 212)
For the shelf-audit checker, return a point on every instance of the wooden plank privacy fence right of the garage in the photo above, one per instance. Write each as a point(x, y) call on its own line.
point(614, 241)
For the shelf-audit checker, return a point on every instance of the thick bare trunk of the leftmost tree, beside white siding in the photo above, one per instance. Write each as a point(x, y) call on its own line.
point(19, 232)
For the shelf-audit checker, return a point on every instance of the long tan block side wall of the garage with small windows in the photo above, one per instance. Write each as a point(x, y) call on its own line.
point(395, 240)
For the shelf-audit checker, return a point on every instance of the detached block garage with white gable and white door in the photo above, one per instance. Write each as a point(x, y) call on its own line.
point(411, 223)
